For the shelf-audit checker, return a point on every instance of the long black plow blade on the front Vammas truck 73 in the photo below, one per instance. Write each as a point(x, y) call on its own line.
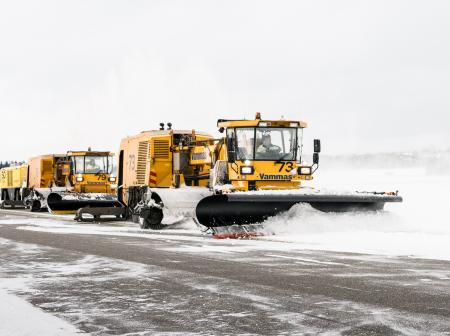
point(247, 208)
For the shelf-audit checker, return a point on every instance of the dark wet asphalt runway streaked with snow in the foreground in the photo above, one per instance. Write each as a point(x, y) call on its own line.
point(161, 284)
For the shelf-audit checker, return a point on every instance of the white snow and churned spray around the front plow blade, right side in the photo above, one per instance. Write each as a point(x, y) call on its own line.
point(418, 227)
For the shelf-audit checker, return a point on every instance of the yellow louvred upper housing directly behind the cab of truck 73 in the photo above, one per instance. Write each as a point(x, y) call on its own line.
point(159, 159)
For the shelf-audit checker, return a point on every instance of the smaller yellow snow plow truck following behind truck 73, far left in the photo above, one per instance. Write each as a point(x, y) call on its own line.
point(61, 183)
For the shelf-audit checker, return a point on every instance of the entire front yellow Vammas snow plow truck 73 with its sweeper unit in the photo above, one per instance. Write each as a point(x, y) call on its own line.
point(253, 172)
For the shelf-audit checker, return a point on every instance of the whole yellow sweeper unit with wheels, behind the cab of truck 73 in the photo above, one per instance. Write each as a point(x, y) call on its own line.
point(161, 173)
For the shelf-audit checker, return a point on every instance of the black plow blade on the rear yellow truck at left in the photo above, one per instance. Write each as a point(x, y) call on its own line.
point(69, 203)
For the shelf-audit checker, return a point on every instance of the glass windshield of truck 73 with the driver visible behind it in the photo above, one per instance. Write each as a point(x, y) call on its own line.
point(265, 143)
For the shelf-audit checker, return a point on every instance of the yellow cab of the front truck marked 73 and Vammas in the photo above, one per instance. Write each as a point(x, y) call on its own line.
point(264, 154)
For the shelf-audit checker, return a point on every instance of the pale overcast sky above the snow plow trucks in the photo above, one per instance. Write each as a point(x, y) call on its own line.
point(367, 76)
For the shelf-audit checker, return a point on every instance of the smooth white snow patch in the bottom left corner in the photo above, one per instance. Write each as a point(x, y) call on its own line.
point(23, 319)
